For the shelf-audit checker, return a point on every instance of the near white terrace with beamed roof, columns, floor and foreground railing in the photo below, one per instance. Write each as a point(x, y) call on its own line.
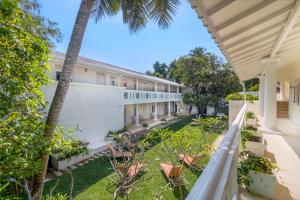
point(261, 39)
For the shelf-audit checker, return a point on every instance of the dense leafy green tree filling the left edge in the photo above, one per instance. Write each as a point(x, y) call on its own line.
point(24, 53)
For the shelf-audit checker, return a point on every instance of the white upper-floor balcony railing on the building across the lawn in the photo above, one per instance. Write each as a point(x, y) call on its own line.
point(138, 96)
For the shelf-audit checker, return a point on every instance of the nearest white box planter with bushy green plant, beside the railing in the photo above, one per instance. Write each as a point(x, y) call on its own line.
point(256, 174)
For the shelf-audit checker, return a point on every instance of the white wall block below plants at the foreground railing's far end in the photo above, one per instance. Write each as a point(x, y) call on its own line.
point(235, 107)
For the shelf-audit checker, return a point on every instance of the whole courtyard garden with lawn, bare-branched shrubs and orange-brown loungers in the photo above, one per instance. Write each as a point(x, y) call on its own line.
point(102, 177)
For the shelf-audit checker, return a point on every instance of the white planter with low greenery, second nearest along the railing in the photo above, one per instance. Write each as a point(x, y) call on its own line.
point(252, 141)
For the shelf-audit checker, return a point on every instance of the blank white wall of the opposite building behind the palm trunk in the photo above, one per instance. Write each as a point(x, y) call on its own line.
point(95, 109)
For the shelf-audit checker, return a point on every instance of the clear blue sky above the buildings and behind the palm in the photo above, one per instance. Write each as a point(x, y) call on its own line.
point(110, 41)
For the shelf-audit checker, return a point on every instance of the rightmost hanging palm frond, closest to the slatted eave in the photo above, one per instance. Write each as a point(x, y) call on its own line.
point(162, 11)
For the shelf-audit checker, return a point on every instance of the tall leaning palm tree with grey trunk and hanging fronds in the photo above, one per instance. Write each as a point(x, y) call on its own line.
point(136, 14)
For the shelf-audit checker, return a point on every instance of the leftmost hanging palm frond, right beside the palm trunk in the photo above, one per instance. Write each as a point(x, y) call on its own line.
point(102, 8)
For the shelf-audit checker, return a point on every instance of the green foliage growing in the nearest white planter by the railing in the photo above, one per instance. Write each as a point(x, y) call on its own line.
point(248, 161)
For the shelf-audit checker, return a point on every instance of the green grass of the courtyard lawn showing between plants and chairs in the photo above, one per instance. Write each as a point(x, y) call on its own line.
point(92, 179)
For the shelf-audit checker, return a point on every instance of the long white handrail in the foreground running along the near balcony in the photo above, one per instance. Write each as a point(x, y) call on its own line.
point(219, 178)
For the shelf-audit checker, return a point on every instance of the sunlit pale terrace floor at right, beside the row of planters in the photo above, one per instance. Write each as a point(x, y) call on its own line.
point(284, 149)
